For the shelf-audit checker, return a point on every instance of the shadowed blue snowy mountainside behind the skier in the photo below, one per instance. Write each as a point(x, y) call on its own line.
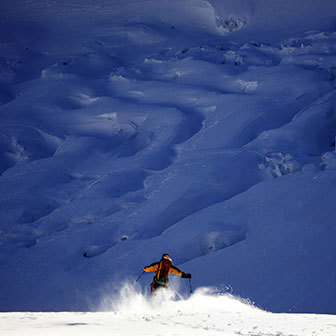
point(204, 129)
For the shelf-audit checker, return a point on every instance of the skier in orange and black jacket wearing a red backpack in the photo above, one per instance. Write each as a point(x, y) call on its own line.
point(162, 269)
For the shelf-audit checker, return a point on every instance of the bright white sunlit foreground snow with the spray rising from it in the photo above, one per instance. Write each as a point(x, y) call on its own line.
point(202, 314)
